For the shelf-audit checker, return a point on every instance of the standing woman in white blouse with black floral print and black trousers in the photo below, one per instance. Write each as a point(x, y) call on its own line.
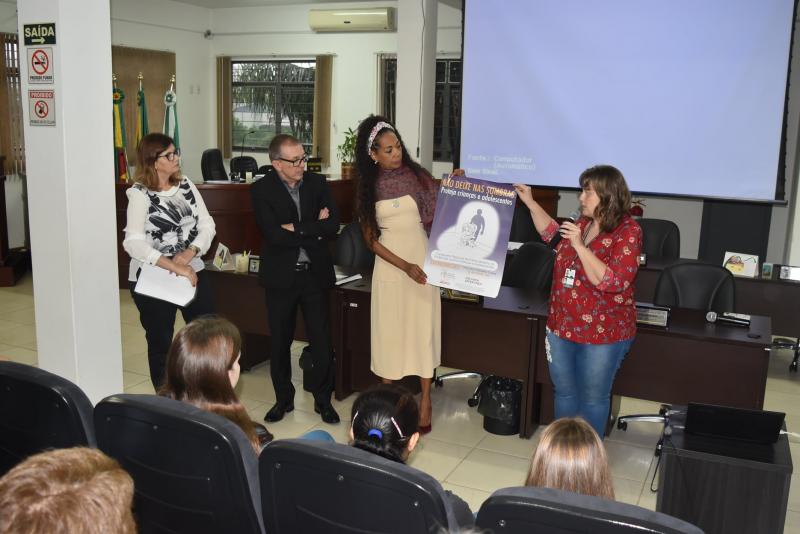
point(168, 226)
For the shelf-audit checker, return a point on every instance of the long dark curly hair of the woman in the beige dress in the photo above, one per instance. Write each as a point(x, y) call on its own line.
point(368, 171)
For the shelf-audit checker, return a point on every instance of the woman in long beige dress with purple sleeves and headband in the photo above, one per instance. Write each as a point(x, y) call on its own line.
point(397, 199)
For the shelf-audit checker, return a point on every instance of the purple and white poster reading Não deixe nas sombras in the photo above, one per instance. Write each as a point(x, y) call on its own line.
point(469, 238)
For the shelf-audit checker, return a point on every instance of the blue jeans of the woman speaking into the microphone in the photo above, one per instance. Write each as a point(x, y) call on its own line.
point(582, 375)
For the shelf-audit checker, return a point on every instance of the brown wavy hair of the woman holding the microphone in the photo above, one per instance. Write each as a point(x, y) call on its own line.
point(615, 198)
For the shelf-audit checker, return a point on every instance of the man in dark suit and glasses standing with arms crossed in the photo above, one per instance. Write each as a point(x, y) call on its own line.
point(296, 215)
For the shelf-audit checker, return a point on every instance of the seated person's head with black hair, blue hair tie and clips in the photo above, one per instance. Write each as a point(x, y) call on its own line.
point(385, 422)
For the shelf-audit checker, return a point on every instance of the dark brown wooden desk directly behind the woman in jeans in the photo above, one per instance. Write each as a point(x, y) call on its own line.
point(690, 360)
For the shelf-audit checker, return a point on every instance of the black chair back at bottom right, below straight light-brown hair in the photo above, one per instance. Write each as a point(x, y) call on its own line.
point(546, 510)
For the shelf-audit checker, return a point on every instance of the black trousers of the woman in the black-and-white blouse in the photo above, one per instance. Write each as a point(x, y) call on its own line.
point(158, 320)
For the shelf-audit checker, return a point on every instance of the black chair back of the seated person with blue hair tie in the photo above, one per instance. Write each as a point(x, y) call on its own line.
point(312, 486)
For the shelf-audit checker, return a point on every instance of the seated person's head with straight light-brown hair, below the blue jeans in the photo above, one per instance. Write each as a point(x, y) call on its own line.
point(571, 457)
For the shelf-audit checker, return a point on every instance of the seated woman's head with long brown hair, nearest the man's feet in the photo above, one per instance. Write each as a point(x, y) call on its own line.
point(203, 369)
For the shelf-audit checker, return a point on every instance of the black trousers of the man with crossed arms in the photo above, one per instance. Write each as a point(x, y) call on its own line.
point(282, 306)
